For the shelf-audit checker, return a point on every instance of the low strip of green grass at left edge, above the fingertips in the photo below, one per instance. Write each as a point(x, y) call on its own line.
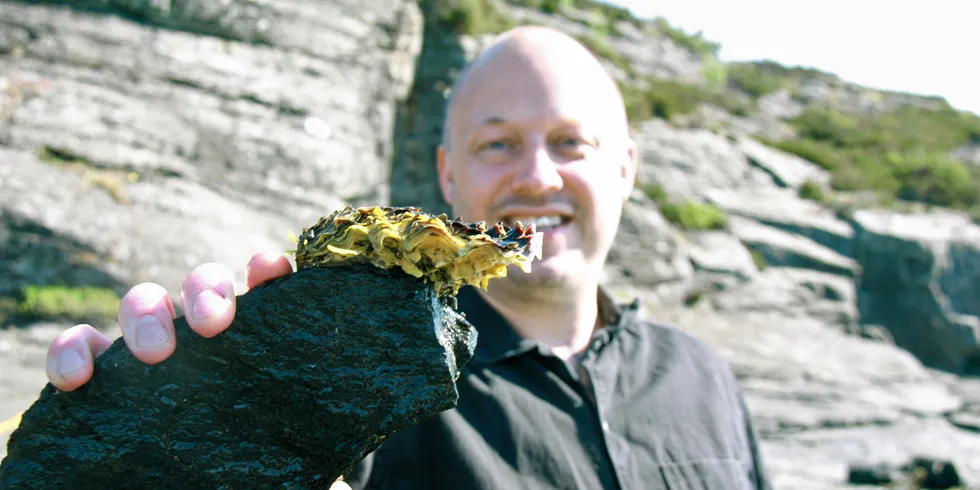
point(97, 306)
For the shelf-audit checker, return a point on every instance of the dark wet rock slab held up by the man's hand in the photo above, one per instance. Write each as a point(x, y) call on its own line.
point(316, 370)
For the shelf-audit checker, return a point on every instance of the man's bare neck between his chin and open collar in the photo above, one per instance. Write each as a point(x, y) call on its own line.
point(561, 318)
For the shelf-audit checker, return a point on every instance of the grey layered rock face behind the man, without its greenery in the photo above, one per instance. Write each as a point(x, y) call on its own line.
point(137, 142)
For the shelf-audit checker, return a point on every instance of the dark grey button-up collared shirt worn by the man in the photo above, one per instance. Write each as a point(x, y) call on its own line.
point(667, 414)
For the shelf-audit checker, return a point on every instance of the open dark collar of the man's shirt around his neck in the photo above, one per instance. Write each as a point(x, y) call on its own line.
point(498, 341)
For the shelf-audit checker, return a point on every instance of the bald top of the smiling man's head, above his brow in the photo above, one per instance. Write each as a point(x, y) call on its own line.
point(536, 61)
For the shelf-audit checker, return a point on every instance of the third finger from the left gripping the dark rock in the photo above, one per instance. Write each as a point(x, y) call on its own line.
point(208, 299)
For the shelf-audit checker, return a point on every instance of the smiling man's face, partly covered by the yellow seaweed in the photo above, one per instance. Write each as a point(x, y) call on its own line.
point(540, 143)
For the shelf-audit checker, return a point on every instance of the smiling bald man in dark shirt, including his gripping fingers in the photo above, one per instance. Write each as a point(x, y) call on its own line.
point(566, 390)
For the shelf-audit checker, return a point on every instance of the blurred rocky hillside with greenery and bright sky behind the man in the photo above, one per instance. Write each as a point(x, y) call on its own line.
point(807, 199)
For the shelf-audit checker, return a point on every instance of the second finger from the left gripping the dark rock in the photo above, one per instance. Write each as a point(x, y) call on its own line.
point(146, 315)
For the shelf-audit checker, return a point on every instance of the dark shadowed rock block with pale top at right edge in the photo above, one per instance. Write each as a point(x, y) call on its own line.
point(920, 281)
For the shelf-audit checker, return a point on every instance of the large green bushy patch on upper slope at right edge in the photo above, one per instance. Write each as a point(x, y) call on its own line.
point(901, 154)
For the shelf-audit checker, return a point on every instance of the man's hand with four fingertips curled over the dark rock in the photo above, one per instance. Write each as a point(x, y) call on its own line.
point(146, 316)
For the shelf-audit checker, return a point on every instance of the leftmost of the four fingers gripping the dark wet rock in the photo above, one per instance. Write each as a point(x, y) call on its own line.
point(71, 356)
